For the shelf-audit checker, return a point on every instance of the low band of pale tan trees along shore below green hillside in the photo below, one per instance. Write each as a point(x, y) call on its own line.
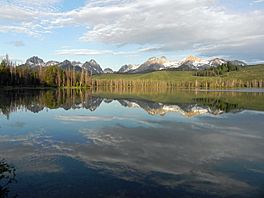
point(124, 85)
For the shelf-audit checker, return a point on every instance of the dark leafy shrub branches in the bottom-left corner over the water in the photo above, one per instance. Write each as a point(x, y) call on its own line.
point(7, 176)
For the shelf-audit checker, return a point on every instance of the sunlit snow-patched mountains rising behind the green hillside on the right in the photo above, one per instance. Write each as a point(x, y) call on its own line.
point(188, 63)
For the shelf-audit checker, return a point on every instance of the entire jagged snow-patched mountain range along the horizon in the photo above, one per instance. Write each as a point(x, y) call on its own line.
point(152, 64)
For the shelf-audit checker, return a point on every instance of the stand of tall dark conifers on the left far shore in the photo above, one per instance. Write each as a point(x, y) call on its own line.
point(52, 76)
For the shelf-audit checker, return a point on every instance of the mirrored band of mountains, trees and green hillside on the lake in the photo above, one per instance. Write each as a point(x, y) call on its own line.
point(191, 105)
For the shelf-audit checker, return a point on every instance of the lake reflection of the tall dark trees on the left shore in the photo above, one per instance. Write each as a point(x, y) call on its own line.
point(34, 100)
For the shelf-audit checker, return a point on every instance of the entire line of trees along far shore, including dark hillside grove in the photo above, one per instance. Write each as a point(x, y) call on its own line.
point(54, 76)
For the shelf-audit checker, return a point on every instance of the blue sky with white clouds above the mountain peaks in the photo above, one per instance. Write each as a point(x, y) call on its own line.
point(118, 32)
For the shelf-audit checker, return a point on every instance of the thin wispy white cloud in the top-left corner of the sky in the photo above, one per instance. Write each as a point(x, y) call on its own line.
point(25, 18)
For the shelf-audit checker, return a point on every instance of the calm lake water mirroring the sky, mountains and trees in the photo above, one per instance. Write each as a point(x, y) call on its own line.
point(74, 143)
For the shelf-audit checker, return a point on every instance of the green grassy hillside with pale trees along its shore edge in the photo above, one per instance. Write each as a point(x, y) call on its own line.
point(249, 77)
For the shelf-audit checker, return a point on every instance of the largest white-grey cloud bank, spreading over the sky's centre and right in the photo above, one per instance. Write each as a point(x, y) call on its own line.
point(170, 25)
